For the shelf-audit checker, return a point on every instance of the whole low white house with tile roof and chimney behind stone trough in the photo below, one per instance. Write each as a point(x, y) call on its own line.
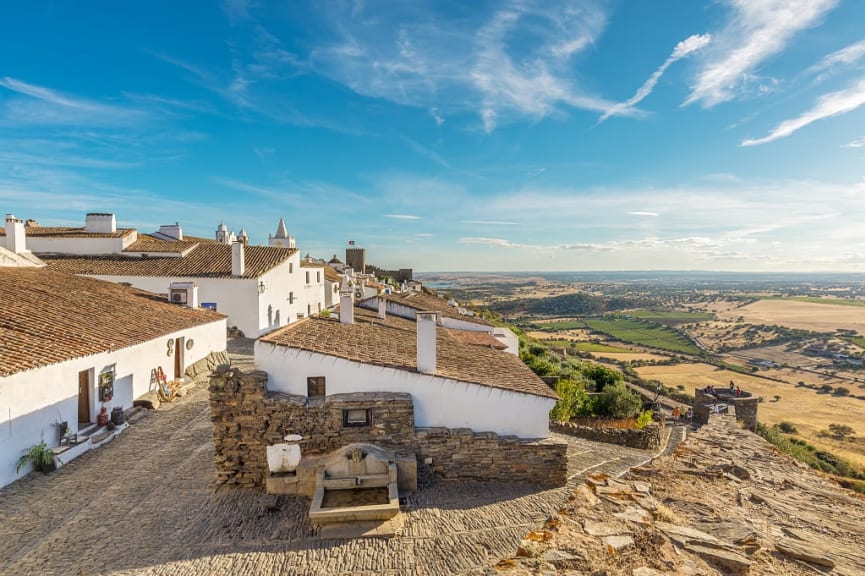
point(454, 381)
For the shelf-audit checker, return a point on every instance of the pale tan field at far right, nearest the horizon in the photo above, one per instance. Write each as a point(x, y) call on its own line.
point(802, 315)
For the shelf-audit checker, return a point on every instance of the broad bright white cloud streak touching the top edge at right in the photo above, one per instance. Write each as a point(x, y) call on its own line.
point(758, 30)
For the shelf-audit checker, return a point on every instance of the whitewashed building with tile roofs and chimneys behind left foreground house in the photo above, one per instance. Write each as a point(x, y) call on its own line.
point(259, 288)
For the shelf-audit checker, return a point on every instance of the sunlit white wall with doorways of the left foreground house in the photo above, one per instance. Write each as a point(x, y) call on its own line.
point(32, 400)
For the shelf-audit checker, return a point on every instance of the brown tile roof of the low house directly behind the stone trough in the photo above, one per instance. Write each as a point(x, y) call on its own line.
point(393, 343)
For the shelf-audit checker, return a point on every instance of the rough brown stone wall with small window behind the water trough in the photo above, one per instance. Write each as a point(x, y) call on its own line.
point(247, 418)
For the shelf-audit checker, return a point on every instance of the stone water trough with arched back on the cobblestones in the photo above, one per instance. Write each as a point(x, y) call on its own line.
point(357, 483)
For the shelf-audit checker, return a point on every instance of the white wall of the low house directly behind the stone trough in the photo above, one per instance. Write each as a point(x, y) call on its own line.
point(438, 401)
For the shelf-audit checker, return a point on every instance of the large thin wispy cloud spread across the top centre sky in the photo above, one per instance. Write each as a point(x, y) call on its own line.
point(419, 57)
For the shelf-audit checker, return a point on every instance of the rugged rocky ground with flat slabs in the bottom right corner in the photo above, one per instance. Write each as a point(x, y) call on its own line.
point(723, 502)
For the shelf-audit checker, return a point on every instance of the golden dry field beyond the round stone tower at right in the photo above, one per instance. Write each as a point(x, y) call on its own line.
point(805, 408)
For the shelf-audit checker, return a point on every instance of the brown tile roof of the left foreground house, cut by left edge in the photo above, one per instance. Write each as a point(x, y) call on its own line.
point(48, 317)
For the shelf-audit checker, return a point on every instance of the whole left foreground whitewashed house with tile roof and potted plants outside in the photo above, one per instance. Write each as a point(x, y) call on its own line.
point(71, 345)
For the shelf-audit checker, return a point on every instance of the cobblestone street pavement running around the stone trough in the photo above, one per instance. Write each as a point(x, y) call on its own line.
point(145, 504)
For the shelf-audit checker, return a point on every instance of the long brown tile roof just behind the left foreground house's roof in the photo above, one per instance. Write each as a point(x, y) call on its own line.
point(204, 261)
